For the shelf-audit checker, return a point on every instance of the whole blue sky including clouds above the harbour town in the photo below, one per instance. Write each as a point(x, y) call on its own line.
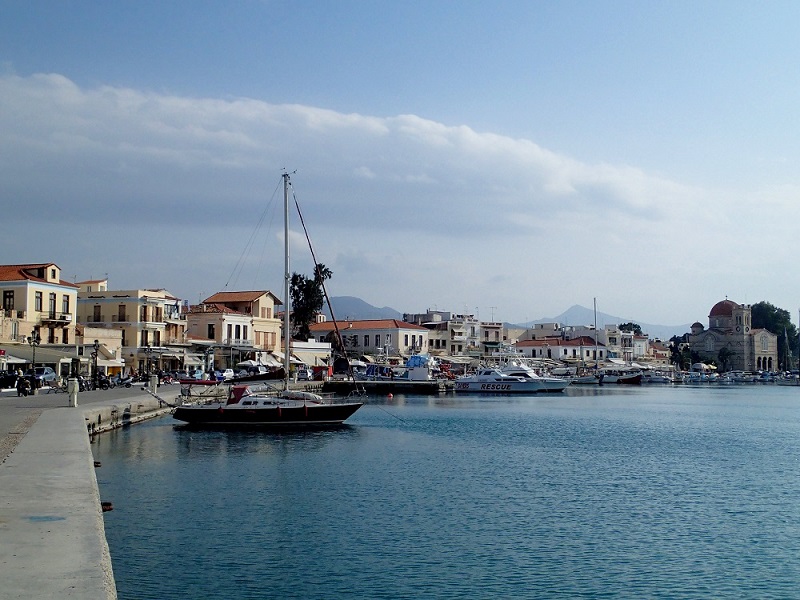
point(506, 159)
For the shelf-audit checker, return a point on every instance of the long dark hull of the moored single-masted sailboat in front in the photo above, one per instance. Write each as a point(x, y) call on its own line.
point(300, 415)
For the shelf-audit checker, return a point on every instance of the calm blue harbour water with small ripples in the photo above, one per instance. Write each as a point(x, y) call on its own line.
point(651, 492)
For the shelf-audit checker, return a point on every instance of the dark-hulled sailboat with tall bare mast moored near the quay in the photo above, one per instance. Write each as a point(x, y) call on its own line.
point(248, 407)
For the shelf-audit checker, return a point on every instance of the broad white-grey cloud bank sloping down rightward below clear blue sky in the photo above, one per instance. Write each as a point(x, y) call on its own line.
point(439, 214)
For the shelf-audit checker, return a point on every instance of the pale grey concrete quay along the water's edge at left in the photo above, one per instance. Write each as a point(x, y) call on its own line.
point(52, 536)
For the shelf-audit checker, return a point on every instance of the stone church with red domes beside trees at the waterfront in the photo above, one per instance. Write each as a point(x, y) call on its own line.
point(729, 326)
